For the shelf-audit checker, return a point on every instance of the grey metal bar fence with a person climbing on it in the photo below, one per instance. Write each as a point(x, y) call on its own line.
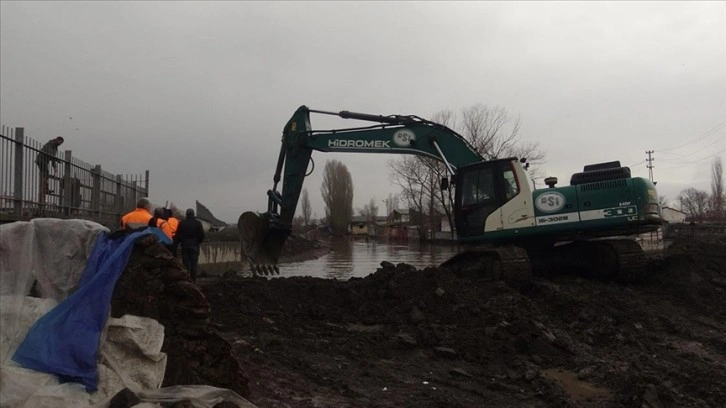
point(74, 188)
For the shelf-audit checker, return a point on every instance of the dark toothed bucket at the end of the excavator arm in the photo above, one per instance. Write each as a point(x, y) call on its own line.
point(262, 239)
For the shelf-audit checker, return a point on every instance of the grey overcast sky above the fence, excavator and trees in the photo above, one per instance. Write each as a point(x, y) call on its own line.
point(198, 93)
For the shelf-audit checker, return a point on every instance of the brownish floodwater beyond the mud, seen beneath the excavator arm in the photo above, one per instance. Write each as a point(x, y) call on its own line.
point(357, 257)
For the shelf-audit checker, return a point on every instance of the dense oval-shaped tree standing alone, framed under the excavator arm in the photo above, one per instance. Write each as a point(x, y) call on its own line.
point(337, 192)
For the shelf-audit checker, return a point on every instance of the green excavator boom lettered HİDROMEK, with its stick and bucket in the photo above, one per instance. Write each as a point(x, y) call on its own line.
point(263, 235)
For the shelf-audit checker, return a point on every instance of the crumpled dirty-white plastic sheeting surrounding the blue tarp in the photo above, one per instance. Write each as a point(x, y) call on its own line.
point(53, 253)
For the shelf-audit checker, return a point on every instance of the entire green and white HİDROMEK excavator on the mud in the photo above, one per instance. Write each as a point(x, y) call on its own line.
point(508, 229)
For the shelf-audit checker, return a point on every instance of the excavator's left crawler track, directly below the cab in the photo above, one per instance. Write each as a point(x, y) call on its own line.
point(507, 263)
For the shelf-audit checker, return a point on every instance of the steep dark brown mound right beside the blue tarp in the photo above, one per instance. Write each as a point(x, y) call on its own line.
point(156, 285)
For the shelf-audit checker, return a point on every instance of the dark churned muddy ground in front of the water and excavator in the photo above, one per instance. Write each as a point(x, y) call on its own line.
point(402, 337)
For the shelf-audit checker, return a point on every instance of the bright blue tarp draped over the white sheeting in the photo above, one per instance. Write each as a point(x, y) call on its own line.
point(65, 340)
